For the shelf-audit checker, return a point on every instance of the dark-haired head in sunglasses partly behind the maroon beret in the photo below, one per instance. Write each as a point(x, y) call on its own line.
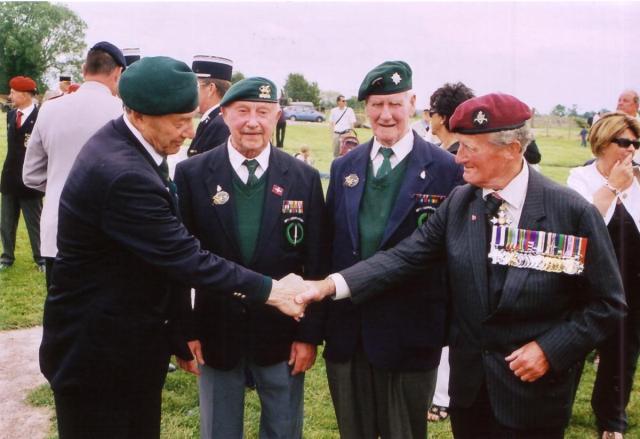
point(444, 102)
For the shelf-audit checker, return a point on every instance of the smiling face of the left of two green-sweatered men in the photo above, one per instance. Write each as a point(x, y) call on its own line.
point(251, 125)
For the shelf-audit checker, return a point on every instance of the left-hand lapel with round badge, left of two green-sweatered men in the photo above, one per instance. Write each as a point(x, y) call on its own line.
point(219, 179)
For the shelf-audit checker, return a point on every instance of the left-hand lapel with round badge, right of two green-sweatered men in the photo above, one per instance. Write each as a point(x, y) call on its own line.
point(353, 195)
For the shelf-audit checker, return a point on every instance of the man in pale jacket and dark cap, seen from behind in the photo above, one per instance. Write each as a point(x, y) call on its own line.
point(56, 141)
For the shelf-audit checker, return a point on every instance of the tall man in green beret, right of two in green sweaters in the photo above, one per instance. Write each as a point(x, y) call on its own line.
point(382, 356)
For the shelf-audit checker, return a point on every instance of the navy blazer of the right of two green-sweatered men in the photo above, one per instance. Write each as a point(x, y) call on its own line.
point(404, 334)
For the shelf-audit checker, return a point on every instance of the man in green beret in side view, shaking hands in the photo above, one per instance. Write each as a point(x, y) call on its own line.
point(110, 317)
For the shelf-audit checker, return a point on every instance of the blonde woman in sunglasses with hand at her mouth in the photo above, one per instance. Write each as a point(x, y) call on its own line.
point(612, 184)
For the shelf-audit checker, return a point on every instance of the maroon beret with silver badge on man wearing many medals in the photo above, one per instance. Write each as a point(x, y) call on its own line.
point(489, 113)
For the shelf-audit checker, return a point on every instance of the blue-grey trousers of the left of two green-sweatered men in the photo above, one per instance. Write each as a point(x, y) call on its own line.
point(222, 401)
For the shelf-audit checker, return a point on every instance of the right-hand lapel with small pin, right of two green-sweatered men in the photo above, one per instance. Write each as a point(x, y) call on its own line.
point(416, 181)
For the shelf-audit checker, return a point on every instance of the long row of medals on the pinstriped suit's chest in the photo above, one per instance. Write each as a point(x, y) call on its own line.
point(538, 250)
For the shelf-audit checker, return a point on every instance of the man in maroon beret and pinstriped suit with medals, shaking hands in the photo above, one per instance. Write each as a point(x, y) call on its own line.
point(524, 315)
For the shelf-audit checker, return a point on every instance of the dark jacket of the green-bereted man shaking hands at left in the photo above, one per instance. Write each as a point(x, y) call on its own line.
point(121, 251)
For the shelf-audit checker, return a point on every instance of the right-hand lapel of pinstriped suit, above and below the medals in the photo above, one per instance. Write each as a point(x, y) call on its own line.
point(532, 214)
